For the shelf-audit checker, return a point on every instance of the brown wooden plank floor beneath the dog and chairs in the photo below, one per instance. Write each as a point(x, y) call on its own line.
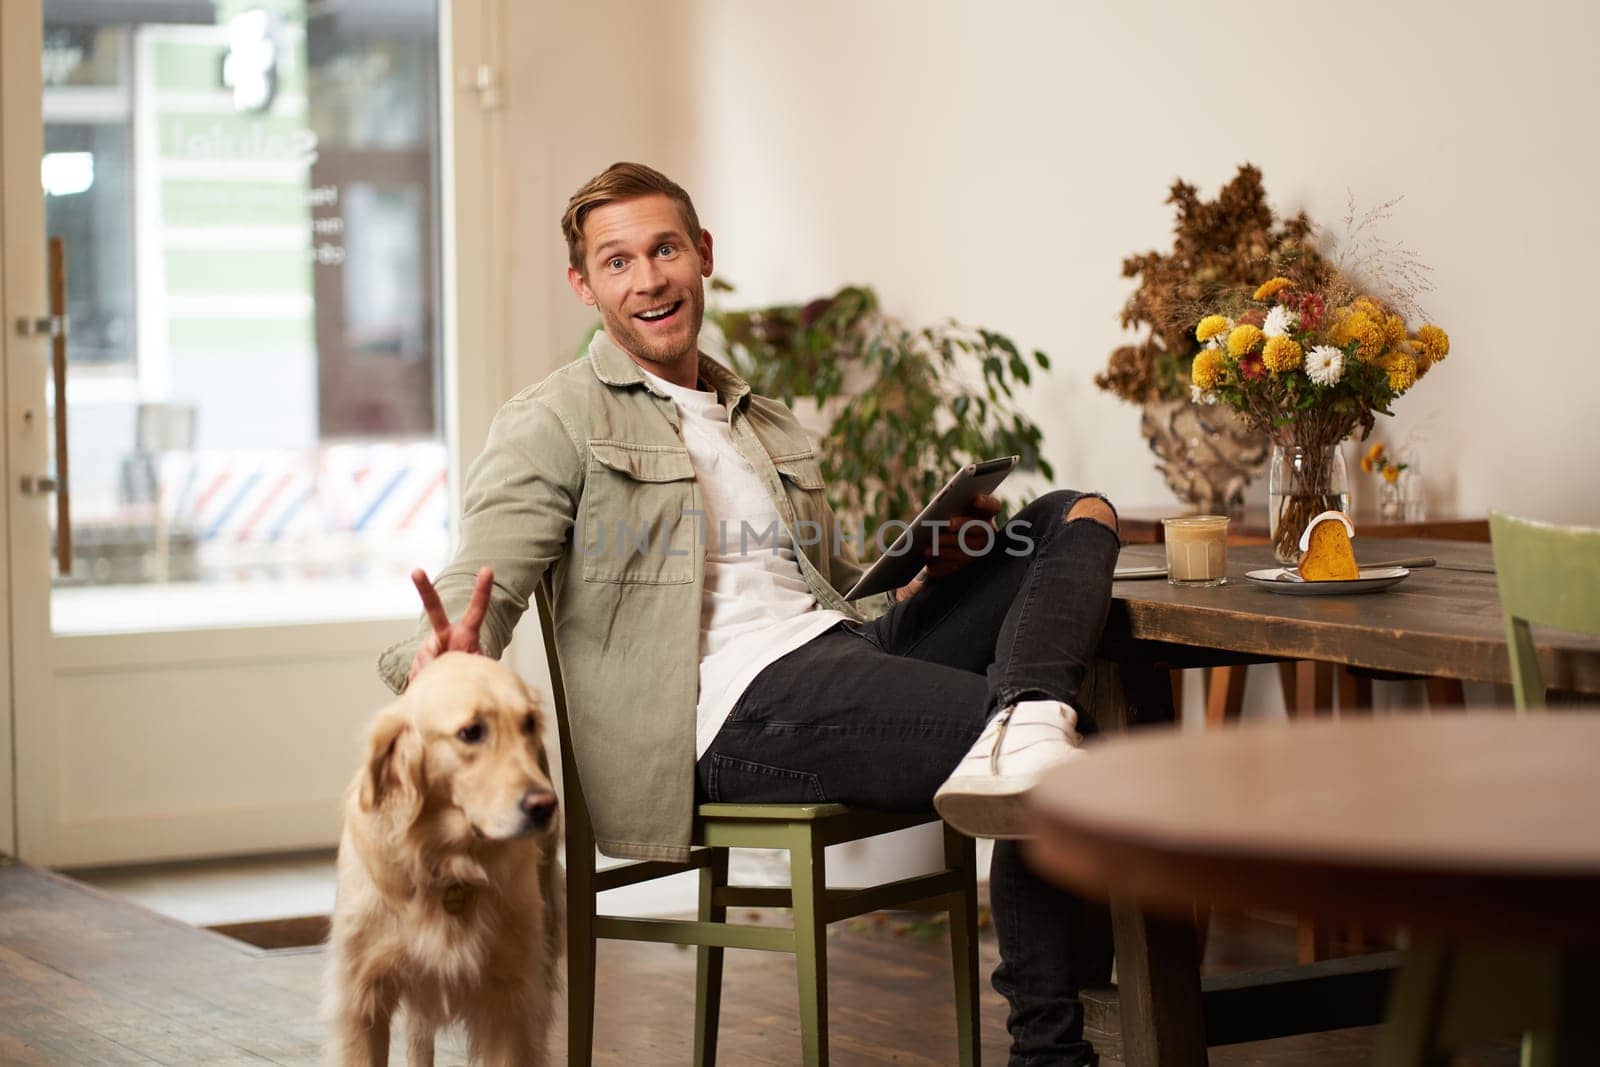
point(87, 978)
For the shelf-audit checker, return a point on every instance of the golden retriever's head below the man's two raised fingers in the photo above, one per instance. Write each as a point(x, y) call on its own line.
point(466, 737)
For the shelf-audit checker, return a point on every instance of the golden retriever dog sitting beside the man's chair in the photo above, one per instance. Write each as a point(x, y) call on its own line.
point(450, 901)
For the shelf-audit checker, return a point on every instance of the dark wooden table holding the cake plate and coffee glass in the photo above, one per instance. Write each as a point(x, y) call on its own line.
point(1441, 621)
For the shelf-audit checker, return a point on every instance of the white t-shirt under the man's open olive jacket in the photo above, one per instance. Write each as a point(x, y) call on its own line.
point(756, 607)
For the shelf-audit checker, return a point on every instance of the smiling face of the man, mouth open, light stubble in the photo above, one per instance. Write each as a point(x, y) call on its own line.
point(646, 274)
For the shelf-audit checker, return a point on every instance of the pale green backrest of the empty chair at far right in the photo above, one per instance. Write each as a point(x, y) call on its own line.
point(1550, 577)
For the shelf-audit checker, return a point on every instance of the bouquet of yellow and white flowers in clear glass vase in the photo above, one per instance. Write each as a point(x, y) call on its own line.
point(1310, 367)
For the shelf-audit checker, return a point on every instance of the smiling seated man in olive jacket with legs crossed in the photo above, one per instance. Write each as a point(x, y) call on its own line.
point(705, 660)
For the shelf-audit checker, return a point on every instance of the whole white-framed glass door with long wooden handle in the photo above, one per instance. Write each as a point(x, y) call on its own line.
point(247, 196)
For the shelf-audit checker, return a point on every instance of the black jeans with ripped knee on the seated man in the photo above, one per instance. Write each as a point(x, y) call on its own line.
point(879, 714)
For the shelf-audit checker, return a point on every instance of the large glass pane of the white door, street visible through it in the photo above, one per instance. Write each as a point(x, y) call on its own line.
point(249, 206)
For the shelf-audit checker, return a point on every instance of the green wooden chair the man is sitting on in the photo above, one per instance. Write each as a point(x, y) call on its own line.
point(806, 831)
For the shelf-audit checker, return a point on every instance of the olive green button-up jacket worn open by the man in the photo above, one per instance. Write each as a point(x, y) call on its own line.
point(586, 484)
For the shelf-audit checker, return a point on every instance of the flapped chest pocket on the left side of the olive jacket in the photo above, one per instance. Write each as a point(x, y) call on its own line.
point(631, 524)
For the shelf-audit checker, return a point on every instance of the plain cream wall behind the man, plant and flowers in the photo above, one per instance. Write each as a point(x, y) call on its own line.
point(996, 162)
